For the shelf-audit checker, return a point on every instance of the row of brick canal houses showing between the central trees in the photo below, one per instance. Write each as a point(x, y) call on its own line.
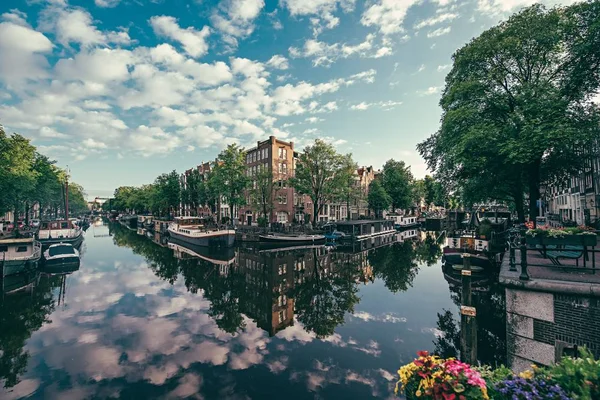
point(279, 157)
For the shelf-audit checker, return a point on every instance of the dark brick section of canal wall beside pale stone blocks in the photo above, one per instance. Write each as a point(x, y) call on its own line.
point(576, 322)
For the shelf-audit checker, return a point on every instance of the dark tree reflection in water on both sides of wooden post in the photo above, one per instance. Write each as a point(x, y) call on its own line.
point(491, 326)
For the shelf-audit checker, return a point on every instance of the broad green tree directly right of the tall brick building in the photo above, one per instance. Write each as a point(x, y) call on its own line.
point(319, 174)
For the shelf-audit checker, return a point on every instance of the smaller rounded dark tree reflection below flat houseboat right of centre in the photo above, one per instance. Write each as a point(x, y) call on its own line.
point(395, 265)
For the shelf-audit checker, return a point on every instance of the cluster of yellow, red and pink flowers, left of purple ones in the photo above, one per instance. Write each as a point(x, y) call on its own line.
point(430, 377)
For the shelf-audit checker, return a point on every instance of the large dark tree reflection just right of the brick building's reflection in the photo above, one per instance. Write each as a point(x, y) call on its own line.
point(324, 297)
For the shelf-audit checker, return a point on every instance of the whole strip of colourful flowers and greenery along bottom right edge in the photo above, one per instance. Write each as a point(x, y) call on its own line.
point(430, 377)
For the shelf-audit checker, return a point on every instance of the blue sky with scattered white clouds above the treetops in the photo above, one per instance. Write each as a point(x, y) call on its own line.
point(124, 90)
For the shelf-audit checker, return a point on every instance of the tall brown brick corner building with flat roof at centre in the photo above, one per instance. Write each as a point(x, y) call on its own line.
point(276, 156)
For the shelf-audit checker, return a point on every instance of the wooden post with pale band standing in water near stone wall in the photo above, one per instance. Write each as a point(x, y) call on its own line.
point(468, 313)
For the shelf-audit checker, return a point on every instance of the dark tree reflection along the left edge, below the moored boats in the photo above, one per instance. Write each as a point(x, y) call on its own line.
point(21, 314)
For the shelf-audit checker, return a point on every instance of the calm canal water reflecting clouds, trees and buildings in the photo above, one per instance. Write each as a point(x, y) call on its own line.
point(143, 319)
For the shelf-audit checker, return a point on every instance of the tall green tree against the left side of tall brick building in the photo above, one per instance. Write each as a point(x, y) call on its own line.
point(228, 179)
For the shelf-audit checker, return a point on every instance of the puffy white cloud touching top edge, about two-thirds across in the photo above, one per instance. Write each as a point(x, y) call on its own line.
point(387, 15)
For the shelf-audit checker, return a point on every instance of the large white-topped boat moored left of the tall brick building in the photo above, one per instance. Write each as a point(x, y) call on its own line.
point(190, 230)
